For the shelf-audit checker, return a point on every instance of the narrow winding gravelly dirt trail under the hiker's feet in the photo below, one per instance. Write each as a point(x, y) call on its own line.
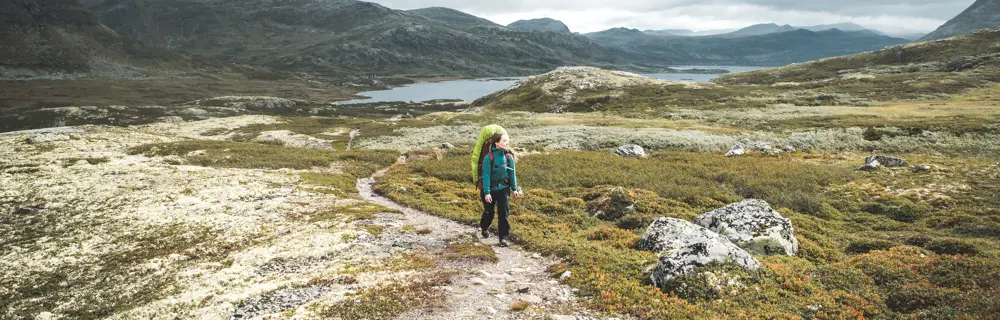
point(482, 290)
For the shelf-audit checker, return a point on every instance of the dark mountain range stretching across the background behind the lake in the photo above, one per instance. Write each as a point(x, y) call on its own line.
point(333, 38)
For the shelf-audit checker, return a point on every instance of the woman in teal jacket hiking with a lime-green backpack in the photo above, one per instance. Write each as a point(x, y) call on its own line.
point(497, 183)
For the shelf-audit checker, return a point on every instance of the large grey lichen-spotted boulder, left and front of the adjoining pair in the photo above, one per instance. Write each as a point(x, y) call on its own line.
point(684, 246)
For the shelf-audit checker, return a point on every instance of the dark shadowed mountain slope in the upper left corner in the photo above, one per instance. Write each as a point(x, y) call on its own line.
point(59, 39)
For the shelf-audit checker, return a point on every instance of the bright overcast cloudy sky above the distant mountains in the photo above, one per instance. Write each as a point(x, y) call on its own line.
point(889, 16)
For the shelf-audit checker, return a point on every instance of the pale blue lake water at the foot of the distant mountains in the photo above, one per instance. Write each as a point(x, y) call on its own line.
point(470, 90)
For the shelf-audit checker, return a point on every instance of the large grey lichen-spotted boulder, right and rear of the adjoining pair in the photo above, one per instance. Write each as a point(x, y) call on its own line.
point(754, 226)
